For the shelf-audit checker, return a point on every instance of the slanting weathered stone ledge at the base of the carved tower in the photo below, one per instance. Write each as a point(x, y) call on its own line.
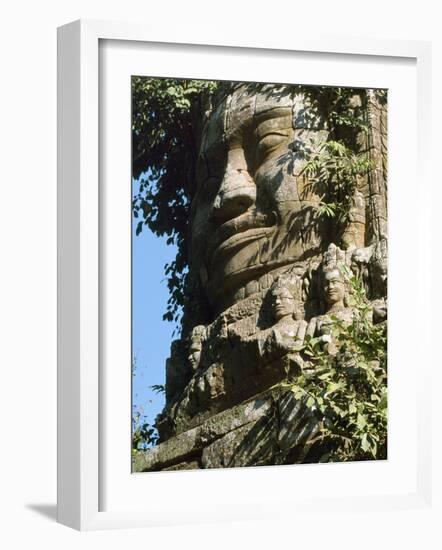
point(272, 428)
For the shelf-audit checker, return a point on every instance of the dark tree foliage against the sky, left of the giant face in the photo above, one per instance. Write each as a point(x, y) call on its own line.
point(164, 156)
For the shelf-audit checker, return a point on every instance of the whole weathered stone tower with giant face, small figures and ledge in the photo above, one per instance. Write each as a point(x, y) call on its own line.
point(269, 267)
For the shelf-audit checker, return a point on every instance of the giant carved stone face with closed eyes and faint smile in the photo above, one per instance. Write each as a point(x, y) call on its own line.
point(252, 211)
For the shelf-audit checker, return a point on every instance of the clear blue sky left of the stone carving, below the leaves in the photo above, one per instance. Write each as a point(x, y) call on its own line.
point(151, 336)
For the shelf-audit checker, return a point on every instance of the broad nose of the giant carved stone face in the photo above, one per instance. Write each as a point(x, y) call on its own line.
point(237, 193)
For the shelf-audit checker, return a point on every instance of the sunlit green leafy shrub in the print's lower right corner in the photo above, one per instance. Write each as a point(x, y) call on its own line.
point(348, 389)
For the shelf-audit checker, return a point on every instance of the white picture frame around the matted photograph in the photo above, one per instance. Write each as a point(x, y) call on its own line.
point(80, 272)
